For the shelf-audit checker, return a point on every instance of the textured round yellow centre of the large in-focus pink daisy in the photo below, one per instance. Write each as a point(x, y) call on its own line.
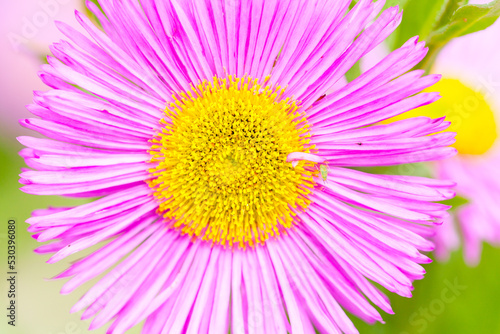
point(221, 170)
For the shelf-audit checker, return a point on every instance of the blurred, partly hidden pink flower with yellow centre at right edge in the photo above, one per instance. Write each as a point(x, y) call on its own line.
point(471, 102)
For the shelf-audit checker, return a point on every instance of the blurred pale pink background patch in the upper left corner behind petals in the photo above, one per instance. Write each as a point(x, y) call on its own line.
point(27, 29)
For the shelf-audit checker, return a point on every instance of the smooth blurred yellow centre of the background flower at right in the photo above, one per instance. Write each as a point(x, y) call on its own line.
point(470, 115)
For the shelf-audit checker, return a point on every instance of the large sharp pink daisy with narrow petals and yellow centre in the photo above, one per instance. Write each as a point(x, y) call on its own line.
point(215, 136)
